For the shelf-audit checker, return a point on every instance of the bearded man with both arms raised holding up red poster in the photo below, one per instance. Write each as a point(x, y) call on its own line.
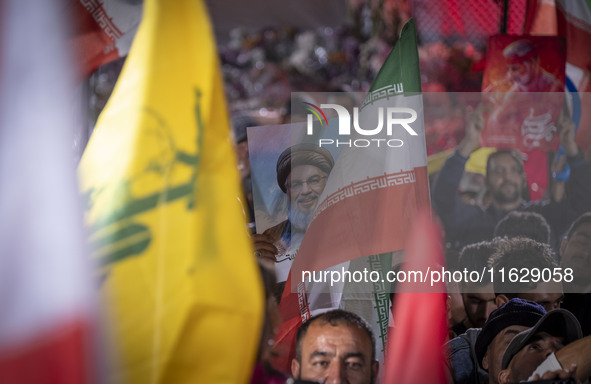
point(506, 182)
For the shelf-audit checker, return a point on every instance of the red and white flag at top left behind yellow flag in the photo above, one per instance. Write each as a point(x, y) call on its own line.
point(103, 30)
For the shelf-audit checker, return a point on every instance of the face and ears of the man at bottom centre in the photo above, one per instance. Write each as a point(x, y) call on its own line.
point(335, 354)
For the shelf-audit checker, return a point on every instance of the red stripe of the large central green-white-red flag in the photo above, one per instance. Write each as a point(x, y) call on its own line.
point(369, 223)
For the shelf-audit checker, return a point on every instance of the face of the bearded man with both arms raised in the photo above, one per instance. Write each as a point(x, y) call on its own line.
point(505, 179)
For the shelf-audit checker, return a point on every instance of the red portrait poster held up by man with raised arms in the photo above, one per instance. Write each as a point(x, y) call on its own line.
point(523, 92)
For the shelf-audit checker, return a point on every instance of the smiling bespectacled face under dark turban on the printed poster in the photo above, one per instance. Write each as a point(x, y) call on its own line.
point(305, 183)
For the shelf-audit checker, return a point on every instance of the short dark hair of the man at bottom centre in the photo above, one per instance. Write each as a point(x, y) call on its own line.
point(335, 318)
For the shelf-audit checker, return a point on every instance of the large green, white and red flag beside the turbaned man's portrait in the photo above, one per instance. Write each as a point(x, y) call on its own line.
point(364, 213)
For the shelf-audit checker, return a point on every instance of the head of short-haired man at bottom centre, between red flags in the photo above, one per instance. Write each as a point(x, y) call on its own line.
point(335, 347)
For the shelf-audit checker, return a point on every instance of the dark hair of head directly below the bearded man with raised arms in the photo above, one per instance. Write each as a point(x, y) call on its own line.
point(526, 224)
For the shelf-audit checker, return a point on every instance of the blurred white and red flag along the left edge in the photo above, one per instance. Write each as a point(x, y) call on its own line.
point(45, 282)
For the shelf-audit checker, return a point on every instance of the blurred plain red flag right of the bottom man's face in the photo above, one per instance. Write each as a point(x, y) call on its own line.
point(420, 314)
